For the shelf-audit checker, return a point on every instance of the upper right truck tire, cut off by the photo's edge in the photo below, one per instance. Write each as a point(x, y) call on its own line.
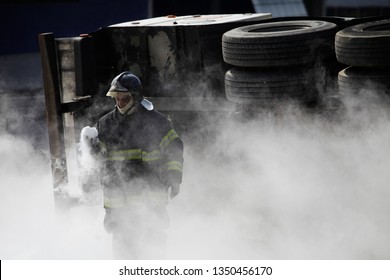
point(364, 45)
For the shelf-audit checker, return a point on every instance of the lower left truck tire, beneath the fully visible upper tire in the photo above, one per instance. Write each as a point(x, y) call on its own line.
point(265, 86)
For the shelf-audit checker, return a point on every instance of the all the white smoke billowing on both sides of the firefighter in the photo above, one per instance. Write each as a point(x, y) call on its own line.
point(287, 185)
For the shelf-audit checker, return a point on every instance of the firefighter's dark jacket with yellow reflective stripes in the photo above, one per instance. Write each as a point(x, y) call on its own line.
point(143, 155)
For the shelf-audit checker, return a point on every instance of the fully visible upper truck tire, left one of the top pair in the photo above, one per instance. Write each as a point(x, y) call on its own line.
point(279, 43)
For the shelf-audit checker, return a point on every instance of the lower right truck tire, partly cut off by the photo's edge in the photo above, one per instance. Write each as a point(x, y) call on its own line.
point(354, 79)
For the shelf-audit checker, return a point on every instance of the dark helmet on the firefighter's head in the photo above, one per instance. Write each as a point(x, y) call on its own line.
point(126, 82)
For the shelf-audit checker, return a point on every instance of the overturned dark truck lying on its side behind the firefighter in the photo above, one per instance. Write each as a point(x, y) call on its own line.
point(191, 65)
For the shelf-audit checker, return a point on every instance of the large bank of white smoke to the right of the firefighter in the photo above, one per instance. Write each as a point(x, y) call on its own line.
point(290, 186)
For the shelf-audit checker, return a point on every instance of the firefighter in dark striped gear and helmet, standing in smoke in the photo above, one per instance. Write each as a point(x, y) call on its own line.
point(143, 164)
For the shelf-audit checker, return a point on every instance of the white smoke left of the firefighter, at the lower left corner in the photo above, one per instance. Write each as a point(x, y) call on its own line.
point(31, 227)
